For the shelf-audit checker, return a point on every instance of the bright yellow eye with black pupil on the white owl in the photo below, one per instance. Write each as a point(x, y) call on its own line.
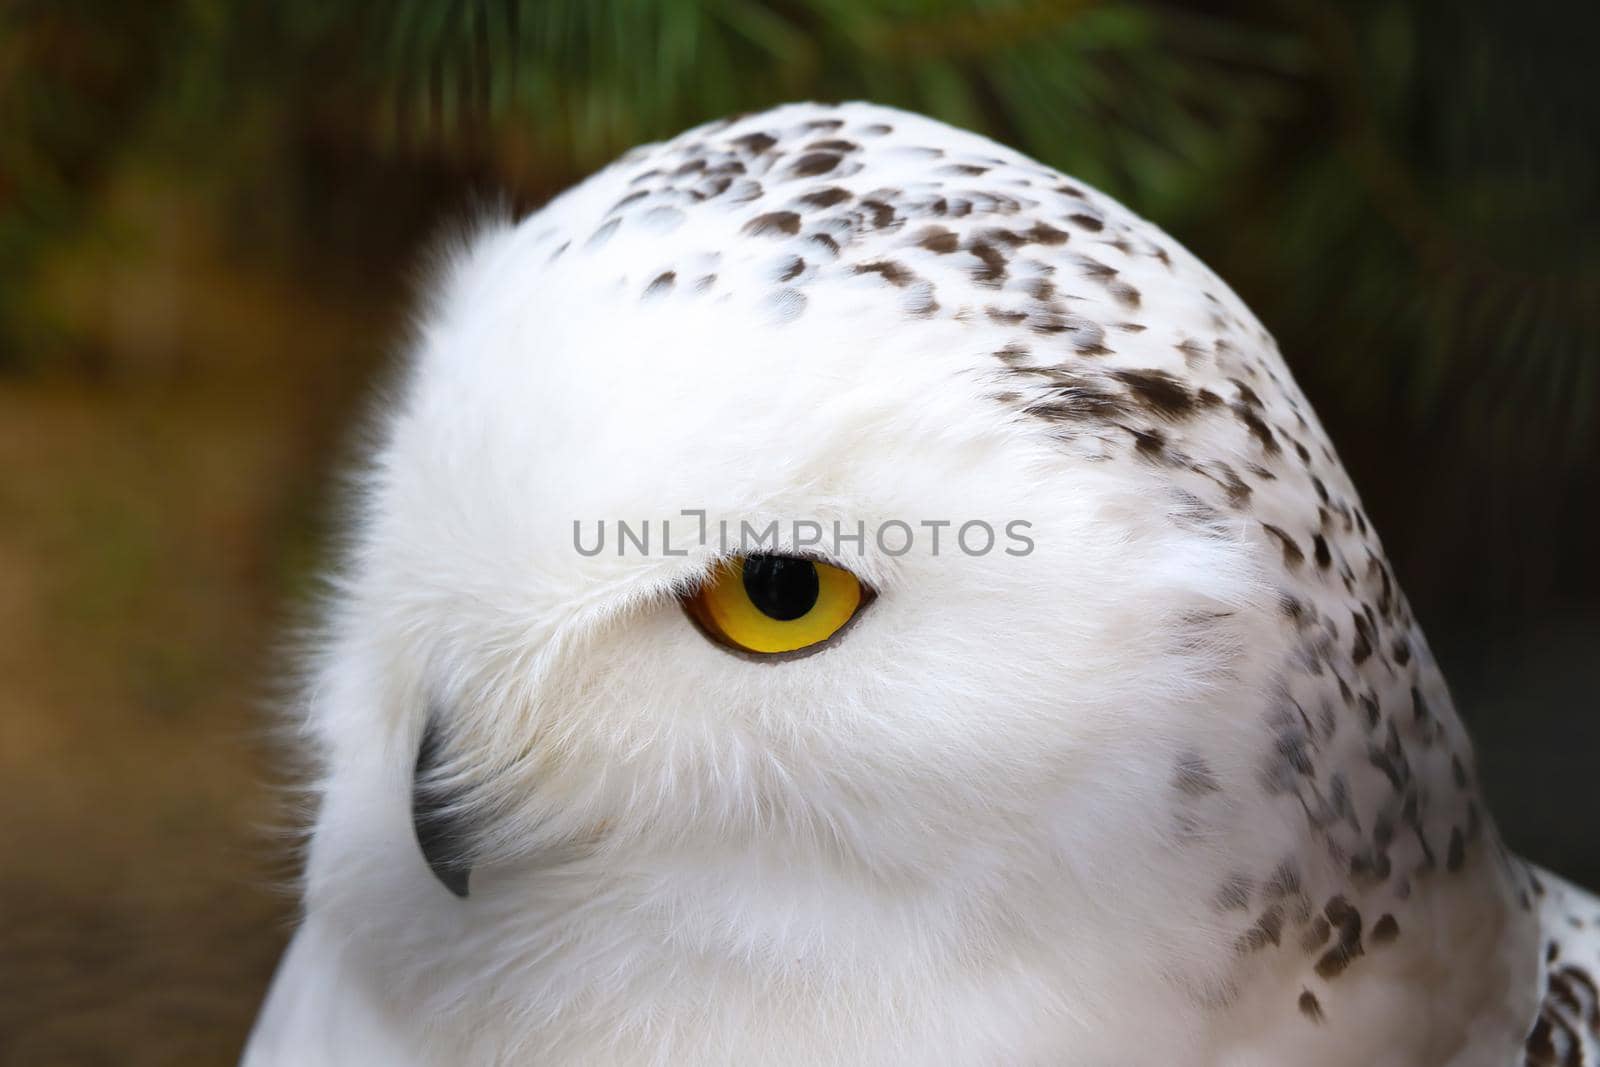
point(775, 604)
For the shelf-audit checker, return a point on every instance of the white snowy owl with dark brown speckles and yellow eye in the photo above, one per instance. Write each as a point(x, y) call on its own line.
point(1063, 708)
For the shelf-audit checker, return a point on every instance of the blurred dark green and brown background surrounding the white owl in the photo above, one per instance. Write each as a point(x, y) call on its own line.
point(212, 223)
